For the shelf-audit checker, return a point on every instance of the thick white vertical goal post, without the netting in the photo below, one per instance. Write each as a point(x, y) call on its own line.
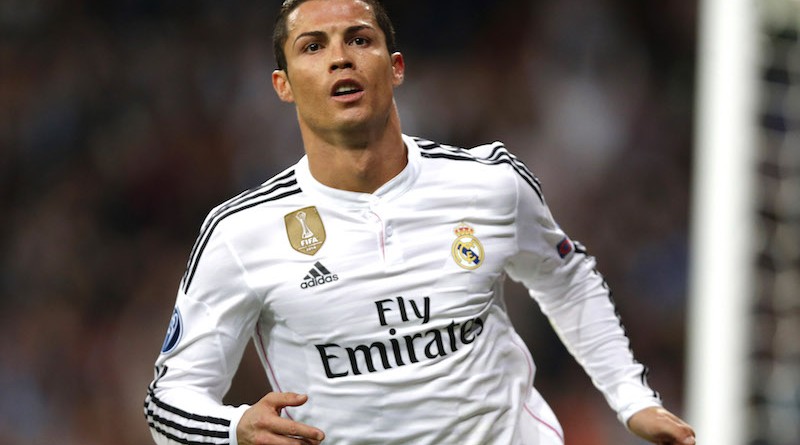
point(722, 219)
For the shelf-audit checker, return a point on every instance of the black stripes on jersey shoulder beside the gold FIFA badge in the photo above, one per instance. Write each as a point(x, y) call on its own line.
point(272, 190)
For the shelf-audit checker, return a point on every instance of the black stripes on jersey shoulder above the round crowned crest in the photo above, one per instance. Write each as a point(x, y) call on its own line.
point(499, 155)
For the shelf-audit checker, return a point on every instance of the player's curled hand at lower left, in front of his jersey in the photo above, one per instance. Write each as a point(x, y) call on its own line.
point(261, 424)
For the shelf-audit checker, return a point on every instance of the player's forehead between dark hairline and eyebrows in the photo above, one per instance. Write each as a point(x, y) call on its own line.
point(321, 15)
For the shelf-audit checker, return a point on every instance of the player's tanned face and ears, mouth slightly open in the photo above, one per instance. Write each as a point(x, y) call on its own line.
point(339, 72)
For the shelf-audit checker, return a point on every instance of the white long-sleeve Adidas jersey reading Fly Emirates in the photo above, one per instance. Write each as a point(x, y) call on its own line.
point(387, 308)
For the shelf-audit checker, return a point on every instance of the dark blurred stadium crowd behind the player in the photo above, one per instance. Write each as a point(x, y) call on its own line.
point(122, 123)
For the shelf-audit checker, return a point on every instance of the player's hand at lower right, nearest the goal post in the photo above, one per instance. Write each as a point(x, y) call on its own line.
point(661, 427)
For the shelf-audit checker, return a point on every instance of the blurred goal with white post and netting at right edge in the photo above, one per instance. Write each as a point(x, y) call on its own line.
point(743, 361)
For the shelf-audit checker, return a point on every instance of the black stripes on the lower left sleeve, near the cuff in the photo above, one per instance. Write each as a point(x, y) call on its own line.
point(161, 424)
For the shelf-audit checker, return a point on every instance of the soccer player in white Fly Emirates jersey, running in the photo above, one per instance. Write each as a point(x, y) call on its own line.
point(369, 277)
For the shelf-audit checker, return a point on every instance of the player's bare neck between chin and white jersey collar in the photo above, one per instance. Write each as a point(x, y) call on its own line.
point(360, 160)
